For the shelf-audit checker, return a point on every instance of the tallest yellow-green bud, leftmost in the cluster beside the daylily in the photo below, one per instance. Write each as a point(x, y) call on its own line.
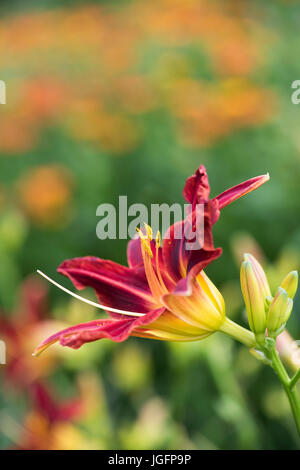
point(254, 297)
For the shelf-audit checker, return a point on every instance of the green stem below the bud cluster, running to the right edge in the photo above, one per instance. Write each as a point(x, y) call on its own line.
point(288, 384)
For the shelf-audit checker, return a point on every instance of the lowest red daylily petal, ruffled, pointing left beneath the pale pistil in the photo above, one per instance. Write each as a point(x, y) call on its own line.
point(115, 329)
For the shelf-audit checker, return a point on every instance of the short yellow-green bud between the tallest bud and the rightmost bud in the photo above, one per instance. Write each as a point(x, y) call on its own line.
point(279, 312)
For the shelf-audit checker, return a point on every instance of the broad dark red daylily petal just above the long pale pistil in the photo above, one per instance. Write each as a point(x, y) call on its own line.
point(116, 286)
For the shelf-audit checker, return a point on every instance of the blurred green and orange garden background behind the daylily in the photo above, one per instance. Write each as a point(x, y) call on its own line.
point(109, 98)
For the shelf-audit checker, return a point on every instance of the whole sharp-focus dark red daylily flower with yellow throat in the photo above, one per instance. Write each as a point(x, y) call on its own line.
point(163, 293)
